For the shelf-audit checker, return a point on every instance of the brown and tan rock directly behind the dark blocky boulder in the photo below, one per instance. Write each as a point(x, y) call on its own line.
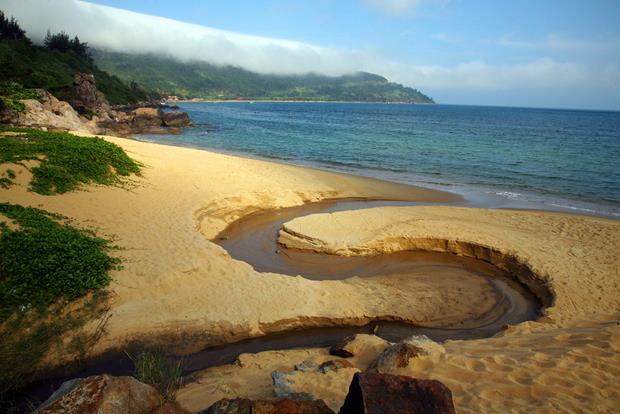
point(399, 355)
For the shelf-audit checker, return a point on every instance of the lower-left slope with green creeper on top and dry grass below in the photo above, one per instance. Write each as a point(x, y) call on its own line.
point(50, 277)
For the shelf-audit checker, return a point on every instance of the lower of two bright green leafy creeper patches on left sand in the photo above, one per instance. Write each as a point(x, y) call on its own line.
point(44, 261)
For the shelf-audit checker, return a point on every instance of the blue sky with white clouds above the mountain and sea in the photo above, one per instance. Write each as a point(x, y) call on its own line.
point(535, 53)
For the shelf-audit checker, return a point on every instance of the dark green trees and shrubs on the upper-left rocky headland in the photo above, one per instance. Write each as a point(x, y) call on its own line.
point(53, 66)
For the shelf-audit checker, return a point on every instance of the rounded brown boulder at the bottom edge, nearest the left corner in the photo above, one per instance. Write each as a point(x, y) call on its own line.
point(106, 394)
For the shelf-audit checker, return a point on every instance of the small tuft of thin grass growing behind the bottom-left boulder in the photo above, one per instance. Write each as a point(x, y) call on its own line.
point(154, 368)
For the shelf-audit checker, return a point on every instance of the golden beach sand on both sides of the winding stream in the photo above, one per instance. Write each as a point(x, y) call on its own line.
point(178, 285)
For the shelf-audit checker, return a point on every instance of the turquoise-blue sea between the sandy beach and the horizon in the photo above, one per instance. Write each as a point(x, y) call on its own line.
point(505, 157)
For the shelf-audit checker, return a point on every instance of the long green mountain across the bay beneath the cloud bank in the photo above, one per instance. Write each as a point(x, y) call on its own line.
point(206, 81)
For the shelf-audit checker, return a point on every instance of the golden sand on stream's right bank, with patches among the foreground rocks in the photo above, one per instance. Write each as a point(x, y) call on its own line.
point(569, 361)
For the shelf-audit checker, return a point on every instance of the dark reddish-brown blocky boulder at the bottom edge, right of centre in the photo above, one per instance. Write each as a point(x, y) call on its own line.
point(372, 393)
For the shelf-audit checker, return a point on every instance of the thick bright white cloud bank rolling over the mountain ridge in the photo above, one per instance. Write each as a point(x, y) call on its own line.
point(122, 30)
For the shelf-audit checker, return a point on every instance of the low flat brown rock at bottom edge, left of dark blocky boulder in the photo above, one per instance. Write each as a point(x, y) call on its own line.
point(283, 406)
